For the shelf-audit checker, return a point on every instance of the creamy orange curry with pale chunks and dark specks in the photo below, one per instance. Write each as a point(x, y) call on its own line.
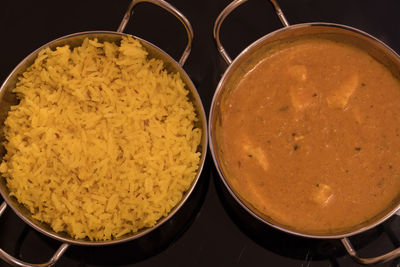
point(311, 136)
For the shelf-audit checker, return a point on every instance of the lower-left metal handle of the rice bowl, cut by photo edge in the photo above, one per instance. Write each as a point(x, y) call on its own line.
point(16, 262)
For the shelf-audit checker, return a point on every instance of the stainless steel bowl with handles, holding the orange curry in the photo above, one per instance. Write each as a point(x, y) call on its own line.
point(246, 60)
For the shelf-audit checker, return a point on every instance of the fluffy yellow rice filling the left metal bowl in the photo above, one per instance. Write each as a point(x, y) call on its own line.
point(103, 142)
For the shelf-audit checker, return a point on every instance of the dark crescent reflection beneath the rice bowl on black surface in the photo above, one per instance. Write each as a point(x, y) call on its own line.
point(124, 253)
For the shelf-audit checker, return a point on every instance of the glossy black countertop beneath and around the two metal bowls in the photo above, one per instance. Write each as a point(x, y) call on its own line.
point(210, 229)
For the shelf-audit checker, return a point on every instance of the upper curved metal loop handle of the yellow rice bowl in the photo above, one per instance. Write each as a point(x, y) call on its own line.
point(168, 7)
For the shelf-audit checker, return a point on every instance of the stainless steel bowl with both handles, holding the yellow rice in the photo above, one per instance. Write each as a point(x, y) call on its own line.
point(7, 99)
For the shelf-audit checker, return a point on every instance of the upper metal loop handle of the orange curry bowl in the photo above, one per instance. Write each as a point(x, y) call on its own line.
point(228, 9)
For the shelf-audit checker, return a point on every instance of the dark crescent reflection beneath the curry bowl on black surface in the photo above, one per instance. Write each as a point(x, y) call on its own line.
point(296, 247)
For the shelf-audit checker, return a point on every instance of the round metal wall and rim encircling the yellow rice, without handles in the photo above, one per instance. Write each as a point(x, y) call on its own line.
point(74, 40)
